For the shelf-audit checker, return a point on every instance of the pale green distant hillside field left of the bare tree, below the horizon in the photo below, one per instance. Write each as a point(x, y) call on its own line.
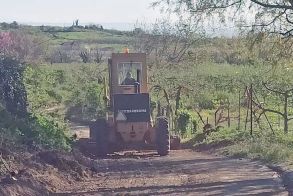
point(116, 41)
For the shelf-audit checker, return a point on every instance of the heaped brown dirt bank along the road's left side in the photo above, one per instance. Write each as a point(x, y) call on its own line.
point(41, 173)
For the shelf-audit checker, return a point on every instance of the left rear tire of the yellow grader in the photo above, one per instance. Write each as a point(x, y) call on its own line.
point(99, 132)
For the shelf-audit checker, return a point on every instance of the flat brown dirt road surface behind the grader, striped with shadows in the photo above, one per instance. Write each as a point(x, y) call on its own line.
point(184, 172)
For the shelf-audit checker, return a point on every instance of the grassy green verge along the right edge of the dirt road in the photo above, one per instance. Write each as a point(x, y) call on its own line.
point(263, 146)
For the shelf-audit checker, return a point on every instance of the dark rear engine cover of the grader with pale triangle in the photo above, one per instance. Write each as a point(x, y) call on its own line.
point(132, 107)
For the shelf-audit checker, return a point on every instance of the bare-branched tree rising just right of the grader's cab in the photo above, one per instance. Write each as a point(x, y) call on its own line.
point(169, 46)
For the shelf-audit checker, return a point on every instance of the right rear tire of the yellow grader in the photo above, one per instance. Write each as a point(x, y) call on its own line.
point(162, 136)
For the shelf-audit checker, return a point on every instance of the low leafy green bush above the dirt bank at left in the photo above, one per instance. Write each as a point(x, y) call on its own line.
point(37, 131)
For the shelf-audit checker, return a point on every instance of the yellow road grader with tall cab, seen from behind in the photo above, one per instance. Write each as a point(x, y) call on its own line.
point(128, 123)
